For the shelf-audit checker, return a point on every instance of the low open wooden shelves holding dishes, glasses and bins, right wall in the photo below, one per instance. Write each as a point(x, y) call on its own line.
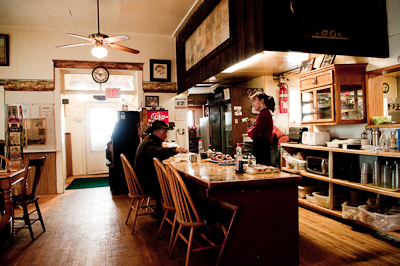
point(336, 181)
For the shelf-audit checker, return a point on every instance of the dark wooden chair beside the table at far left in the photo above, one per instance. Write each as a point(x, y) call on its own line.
point(24, 199)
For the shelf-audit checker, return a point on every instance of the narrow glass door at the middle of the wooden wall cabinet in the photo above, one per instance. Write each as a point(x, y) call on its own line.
point(324, 104)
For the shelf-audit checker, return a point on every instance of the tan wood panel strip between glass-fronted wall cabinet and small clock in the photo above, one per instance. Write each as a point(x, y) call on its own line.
point(374, 96)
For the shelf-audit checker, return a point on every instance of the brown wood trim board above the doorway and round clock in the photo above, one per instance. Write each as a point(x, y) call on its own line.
point(93, 64)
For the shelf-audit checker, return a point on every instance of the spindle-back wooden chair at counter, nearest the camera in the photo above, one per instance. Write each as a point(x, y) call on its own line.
point(186, 214)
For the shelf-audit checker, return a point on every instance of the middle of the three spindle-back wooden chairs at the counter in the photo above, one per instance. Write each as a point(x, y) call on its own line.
point(166, 201)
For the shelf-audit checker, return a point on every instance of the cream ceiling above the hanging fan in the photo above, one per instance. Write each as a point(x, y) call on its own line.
point(160, 17)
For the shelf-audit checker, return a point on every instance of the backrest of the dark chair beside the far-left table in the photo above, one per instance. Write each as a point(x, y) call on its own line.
point(36, 165)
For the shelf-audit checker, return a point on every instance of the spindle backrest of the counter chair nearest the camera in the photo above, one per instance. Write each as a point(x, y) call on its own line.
point(185, 209)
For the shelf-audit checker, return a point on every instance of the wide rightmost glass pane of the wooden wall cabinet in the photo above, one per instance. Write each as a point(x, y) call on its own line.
point(352, 105)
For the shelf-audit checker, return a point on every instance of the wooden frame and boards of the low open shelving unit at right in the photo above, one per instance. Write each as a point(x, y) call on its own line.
point(335, 183)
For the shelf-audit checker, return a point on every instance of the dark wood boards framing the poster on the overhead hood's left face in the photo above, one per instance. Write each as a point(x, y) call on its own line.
point(245, 41)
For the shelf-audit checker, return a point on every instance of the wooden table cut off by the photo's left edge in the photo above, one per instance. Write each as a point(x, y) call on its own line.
point(7, 180)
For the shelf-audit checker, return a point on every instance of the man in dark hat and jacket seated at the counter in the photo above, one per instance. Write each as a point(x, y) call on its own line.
point(148, 149)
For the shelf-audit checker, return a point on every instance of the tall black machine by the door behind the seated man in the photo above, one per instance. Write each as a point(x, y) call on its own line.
point(124, 139)
